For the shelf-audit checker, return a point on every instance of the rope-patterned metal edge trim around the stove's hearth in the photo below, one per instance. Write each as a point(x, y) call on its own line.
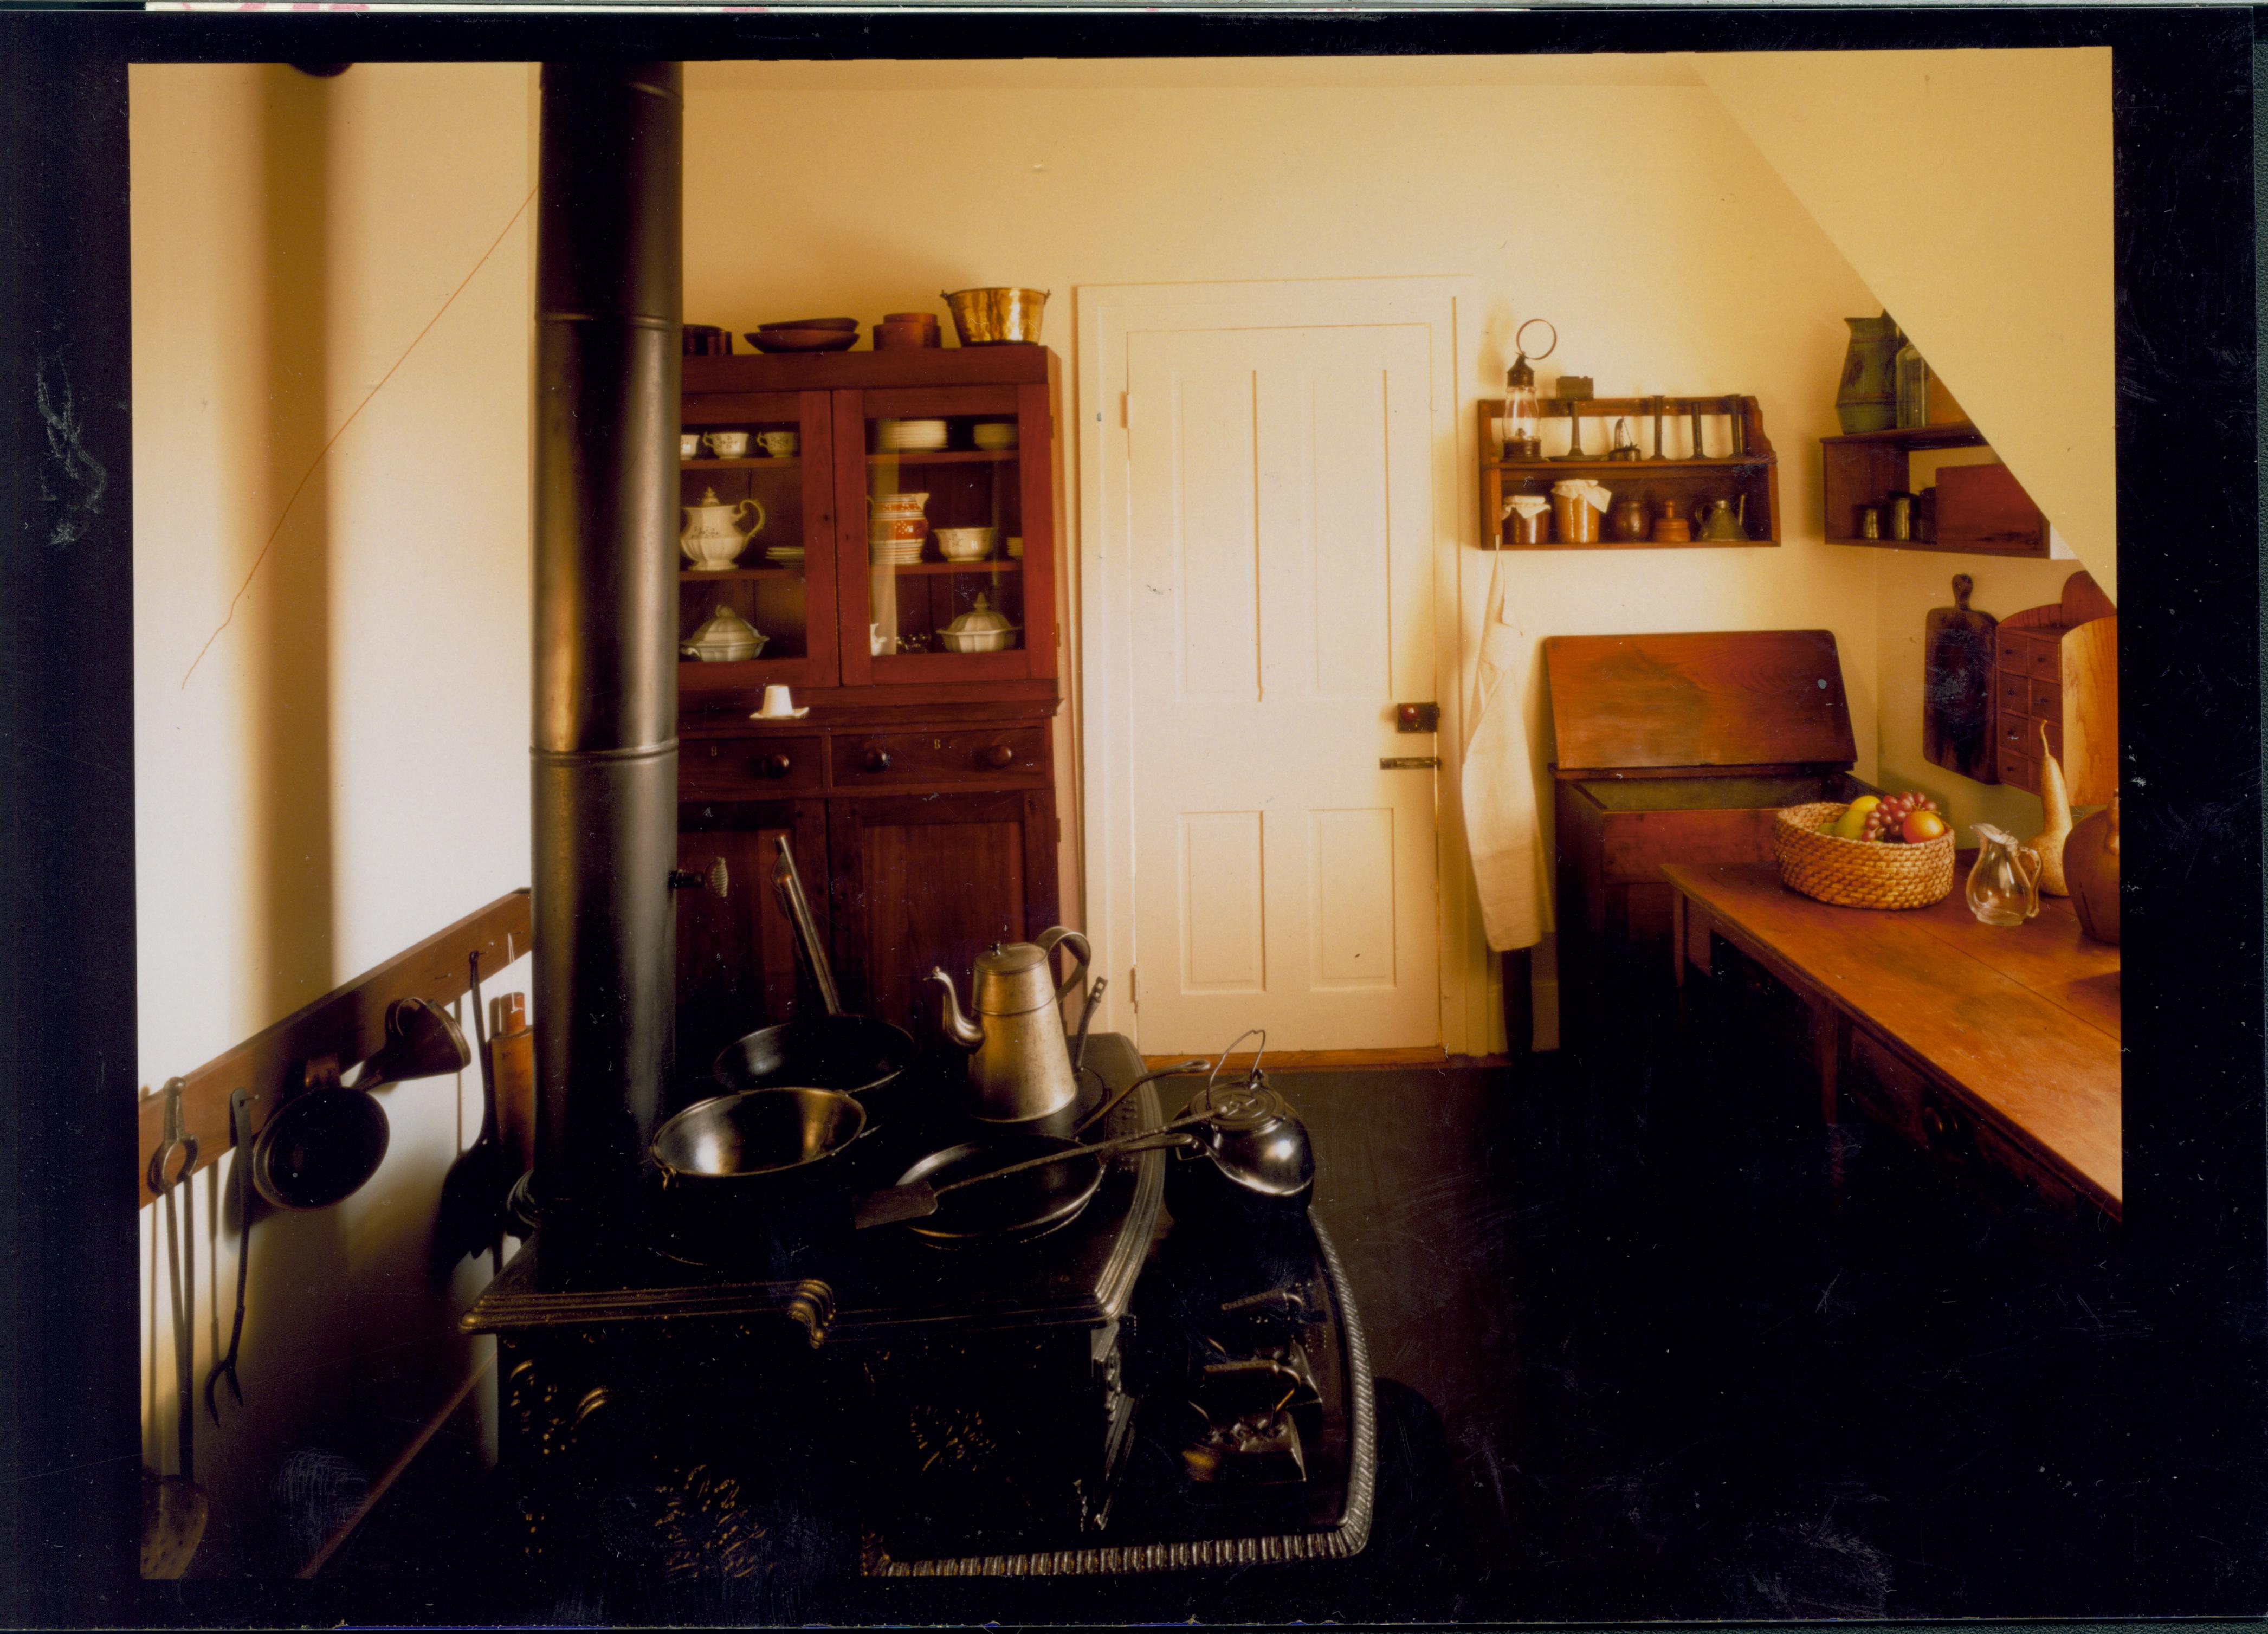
point(1342, 1542)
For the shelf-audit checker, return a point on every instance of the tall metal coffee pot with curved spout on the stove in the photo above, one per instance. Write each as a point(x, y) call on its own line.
point(1019, 1063)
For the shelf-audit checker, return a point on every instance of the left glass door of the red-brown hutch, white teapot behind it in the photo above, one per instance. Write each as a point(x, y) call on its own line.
point(756, 544)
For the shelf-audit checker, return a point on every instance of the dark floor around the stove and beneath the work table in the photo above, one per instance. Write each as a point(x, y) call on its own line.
point(1634, 1361)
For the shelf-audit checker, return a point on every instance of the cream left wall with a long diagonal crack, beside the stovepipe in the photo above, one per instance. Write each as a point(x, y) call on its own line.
point(346, 766)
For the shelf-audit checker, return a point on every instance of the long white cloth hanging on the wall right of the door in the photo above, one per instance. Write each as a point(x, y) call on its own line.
point(1500, 789)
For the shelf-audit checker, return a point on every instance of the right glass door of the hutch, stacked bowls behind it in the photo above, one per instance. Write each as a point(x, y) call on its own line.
point(954, 534)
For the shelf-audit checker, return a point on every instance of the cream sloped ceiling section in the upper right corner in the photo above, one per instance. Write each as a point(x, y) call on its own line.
point(1972, 189)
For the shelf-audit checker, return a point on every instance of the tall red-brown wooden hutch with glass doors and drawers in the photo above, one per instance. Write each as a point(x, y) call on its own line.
point(920, 786)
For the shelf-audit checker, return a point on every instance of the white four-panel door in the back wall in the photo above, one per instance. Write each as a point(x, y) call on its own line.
point(1283, 555)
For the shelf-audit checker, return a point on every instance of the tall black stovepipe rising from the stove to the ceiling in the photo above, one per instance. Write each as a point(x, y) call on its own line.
point(609, 308)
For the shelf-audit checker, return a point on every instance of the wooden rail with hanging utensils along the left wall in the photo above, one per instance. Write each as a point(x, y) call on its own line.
point(348, 1022)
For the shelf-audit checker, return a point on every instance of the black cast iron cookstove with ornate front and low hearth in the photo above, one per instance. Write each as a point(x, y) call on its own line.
point(1115, 1397)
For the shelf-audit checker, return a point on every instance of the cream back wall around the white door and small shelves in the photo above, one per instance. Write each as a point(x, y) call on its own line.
point(1625, 205)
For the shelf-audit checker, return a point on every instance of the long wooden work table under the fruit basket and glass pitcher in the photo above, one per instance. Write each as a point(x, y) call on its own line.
point(1992, 1050)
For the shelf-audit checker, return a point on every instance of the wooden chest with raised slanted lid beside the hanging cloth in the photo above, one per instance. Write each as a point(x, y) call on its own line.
point(1677, 750)
